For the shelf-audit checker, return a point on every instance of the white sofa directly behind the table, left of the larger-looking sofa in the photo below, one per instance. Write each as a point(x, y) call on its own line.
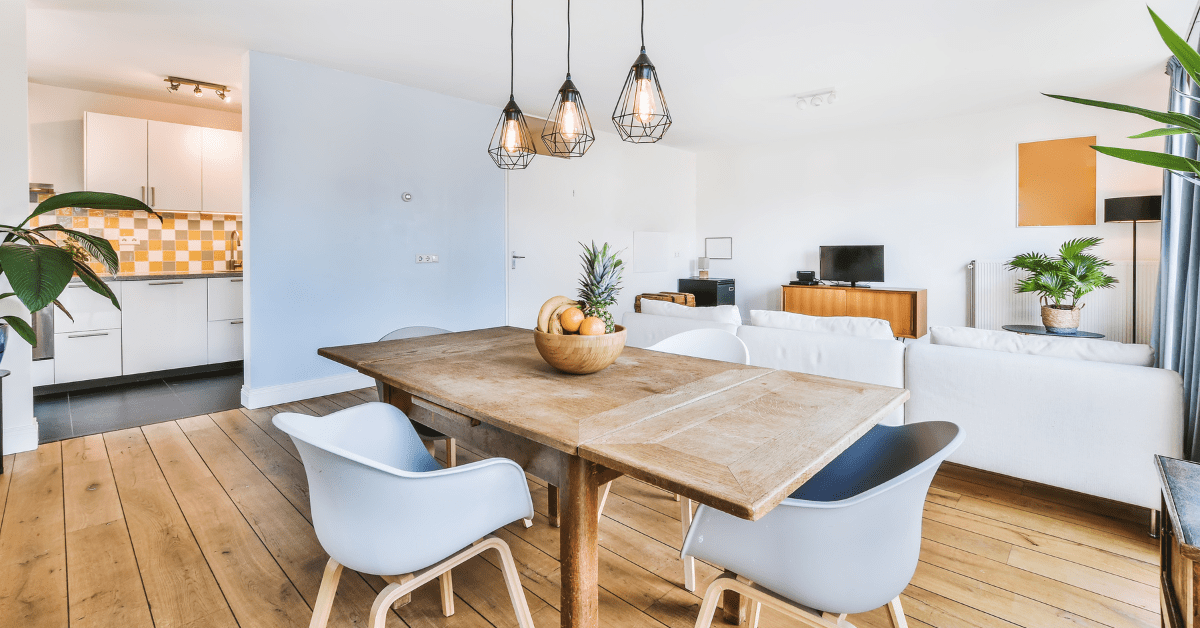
point(859, 360)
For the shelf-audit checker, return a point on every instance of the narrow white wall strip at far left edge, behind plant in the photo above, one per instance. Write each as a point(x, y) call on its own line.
point(20, 427)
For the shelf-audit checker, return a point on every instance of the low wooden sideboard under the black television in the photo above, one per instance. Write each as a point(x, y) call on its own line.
point(904, 308)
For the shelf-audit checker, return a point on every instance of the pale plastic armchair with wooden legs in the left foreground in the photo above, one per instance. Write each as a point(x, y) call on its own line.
point(383, 506)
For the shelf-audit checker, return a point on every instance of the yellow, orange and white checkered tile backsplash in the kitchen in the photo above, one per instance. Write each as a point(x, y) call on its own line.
point(183, 243)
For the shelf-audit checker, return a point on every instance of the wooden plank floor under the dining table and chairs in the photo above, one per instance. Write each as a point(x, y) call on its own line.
point(206, 523)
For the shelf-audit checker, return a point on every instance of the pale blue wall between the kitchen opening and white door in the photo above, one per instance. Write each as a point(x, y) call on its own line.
point(331, 247)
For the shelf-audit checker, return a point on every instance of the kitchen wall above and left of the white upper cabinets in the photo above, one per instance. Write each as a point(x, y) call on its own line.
point(56, 128)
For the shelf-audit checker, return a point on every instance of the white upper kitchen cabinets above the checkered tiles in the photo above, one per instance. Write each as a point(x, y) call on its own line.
point(172, 168)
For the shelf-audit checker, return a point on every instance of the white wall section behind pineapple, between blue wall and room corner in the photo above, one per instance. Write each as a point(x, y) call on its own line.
point(615, 190)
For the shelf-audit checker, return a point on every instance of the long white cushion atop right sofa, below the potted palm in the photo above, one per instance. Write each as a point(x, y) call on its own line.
point(1047, 346)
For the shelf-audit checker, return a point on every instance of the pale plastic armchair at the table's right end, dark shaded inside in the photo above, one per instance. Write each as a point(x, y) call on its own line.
point(845, 542)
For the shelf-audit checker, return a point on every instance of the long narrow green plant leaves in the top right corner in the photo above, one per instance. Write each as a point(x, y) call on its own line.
point(1180, 123)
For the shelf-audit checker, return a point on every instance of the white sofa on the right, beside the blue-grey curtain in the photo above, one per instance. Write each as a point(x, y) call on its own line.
point(1084, 426)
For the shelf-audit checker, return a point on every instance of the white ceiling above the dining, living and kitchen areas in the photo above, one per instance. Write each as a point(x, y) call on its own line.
point(730, 70)
